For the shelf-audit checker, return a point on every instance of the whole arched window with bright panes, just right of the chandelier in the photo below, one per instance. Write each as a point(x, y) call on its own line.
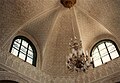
point(104, 51)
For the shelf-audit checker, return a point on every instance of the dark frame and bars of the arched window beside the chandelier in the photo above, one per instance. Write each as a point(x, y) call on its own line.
point(106, 47)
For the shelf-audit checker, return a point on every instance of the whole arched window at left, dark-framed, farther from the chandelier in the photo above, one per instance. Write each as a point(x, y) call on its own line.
point(24, 49)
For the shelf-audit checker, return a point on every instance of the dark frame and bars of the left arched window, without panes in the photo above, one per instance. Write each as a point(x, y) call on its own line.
point(23, 38)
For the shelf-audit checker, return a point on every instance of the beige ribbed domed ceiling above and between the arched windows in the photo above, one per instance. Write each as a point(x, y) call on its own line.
point(50, 24)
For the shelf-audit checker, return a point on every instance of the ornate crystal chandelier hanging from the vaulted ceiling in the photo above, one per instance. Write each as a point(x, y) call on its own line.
point(77, 60)
